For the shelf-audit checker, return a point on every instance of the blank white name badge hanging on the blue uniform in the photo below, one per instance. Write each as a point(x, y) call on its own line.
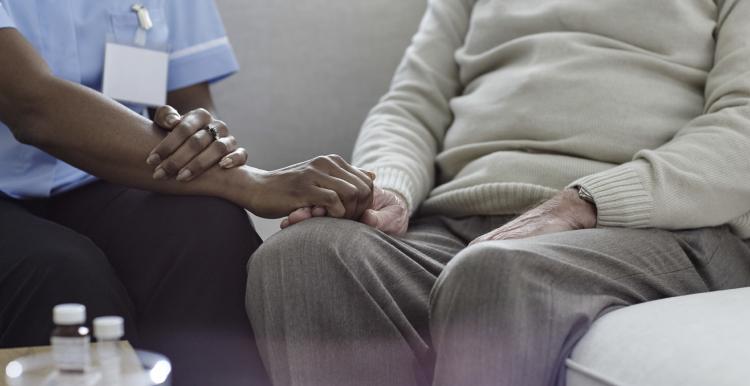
point(135, 75)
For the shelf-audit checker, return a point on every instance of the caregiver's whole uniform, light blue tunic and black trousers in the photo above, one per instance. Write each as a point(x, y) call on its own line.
point(174, 267)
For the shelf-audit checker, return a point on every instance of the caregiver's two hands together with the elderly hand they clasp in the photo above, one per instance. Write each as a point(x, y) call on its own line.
point(323, 186)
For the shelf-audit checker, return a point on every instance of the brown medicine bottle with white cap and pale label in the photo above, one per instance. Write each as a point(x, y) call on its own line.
point(70, 338)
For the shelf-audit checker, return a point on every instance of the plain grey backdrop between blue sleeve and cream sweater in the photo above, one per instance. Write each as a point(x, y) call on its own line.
point(311, 70)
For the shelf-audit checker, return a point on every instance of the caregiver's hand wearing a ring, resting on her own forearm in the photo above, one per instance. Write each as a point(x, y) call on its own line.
point(190, 149)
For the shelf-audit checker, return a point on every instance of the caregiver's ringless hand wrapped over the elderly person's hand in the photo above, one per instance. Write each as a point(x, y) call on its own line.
point(326, 182)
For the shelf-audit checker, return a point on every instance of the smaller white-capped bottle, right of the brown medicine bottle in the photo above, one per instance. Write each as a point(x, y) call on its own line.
point(108, 330)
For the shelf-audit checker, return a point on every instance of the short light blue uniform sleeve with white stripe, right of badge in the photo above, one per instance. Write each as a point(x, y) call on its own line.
point(199, 47)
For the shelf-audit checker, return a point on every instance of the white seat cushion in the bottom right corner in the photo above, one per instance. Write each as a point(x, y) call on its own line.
point(696, 340)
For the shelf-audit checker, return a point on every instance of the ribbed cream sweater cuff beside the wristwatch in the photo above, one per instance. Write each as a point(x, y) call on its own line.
point(620, 197)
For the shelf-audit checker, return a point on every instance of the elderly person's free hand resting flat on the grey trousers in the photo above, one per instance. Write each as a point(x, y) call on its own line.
point(564, 212)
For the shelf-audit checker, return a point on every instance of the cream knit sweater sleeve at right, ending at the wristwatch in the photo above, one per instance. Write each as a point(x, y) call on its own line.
point(701, 177)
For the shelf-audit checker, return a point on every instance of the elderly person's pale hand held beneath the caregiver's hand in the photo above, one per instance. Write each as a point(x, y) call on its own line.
point(388, 213)
